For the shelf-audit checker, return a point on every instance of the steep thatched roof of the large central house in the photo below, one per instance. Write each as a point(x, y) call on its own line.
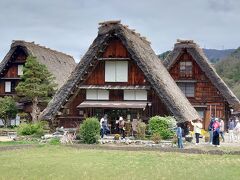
point(141, 52)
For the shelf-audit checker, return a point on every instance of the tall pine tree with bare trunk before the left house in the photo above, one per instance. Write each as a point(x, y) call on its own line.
point(37, 84)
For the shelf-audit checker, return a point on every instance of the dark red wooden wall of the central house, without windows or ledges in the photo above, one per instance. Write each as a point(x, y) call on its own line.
point(97, 77)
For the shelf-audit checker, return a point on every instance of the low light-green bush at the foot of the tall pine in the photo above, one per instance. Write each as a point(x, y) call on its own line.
point(35, 129)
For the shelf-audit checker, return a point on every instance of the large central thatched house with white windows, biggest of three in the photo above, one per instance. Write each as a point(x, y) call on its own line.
point(120, 75)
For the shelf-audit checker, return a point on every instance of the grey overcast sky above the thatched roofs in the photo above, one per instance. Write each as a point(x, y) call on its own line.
point(70, 26)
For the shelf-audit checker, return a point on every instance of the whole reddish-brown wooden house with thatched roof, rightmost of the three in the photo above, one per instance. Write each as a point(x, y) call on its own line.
point(199, 81)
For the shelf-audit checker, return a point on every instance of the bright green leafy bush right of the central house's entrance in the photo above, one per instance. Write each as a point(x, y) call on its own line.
point(160, 125)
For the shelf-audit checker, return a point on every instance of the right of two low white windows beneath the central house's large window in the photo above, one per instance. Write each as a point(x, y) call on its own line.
point(135, 95)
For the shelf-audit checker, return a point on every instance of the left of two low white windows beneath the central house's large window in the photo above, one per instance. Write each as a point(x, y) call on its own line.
point(97, 94)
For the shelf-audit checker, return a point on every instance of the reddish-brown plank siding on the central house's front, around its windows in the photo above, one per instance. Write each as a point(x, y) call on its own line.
point(115, 51)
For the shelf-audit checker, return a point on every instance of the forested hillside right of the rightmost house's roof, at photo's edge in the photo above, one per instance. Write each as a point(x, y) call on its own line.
point(229, 70)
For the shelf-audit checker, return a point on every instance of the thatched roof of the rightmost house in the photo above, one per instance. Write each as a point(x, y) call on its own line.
point(198, 55)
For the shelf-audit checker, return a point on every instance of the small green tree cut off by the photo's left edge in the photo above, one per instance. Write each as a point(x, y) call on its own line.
point(8, 109)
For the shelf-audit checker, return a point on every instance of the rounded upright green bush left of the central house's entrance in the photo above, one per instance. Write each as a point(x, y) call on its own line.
point(90, 130)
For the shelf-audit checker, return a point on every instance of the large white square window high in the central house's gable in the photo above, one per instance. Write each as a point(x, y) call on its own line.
point(116, 71)
